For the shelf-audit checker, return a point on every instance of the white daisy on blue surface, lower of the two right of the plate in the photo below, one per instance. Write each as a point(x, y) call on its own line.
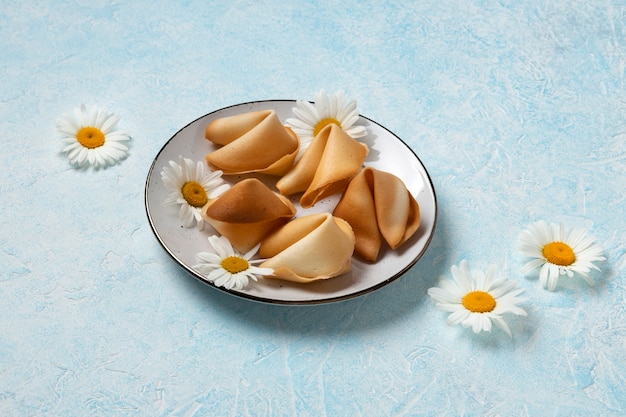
point(475, 299)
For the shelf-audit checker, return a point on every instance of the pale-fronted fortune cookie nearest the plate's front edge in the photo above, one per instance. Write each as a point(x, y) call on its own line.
point(309, 248)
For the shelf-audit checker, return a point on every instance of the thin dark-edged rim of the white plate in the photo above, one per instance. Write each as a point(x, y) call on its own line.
point(264, 300)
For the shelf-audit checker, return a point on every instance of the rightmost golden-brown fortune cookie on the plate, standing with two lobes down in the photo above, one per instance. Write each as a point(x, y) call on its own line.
point(378, 206)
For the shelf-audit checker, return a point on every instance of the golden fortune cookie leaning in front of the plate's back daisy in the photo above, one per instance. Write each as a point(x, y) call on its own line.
point(326, 166)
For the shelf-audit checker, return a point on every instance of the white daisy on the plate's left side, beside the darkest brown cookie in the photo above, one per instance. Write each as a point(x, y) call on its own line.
point(192, 187)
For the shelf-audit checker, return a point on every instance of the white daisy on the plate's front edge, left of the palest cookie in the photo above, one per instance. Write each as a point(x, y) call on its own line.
point(227, 268)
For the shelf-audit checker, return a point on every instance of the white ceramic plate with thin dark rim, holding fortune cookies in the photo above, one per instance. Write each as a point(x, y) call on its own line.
point(387, 152)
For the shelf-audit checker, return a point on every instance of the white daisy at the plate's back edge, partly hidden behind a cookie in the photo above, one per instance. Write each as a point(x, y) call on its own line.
point(312, 118)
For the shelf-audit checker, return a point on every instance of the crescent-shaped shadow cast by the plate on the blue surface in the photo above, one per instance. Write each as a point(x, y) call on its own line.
point(377, 309)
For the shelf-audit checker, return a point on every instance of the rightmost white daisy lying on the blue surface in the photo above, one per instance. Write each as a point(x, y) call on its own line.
point(558, 251)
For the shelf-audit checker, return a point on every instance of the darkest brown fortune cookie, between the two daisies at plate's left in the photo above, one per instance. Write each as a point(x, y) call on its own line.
point(247, 212)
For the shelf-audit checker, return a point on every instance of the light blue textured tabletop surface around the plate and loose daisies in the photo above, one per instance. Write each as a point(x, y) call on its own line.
point(517, 109)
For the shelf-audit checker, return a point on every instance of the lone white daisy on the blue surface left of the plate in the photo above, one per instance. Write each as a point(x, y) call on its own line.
point(92, 138)
